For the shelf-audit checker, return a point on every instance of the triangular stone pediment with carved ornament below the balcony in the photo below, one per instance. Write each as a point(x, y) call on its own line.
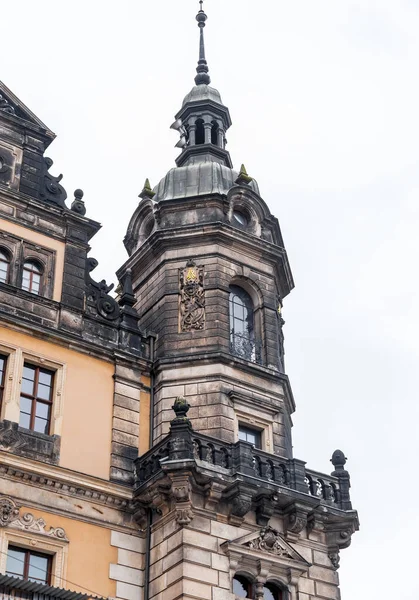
point(268, 542)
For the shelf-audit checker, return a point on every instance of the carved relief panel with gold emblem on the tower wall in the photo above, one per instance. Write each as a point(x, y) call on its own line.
point(192, 297)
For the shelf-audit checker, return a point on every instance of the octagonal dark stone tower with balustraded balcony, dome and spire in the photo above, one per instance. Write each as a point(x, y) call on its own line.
point(225, 508)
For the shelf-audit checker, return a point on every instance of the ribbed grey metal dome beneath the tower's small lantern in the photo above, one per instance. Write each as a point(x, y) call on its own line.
point(198, 179)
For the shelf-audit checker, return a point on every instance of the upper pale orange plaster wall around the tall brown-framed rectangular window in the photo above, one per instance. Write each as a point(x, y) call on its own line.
point(87, 404)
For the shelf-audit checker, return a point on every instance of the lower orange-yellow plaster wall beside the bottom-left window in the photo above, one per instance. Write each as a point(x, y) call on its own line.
point(89, 554)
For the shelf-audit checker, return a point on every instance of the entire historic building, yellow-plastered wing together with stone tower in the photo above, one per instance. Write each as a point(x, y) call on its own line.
point(145, 435)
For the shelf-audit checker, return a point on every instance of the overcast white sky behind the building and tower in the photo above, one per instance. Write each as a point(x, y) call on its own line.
point(324, 99)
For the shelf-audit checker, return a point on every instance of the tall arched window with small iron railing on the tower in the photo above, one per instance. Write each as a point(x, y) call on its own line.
point(242, 334)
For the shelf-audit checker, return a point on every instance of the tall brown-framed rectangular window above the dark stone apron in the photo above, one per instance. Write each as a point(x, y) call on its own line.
point(36, 398)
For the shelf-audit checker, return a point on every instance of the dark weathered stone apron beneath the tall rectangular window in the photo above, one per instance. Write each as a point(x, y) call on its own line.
point(24, 442)
